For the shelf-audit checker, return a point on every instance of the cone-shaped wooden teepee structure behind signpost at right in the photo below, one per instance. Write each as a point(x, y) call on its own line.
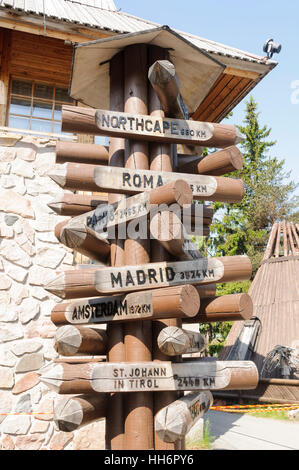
point(275, 322)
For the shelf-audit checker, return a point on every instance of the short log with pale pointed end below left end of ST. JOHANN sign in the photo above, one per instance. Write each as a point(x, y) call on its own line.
point(70, 413)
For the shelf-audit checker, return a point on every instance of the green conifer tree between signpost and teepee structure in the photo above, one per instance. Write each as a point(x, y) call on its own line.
point(243, 228)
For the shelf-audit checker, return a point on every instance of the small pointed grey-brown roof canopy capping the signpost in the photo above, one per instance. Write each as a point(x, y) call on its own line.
point(196, 69)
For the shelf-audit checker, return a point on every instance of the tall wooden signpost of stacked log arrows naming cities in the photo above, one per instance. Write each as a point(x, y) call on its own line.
point(145, 284)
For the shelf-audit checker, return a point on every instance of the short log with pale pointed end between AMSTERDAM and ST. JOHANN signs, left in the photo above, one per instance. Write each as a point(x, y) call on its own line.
point(71, 340)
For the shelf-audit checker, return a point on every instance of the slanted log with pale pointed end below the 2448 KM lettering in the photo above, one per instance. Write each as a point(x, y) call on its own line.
point(175, 420)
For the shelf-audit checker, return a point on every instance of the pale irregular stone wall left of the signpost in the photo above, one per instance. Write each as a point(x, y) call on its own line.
point(29, 255)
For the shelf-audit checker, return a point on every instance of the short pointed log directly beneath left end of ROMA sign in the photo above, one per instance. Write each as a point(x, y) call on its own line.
point(76, 204)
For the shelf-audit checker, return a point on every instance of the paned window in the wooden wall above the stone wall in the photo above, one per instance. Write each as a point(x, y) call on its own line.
point(36, 106)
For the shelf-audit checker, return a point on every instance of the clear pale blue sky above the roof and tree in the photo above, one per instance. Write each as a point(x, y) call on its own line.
point(246, 25)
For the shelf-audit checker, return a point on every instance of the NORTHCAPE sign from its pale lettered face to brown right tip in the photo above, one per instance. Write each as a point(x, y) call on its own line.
point(141, 127)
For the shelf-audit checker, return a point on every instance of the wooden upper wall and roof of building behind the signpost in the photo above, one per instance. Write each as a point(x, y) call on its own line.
point(36, 41)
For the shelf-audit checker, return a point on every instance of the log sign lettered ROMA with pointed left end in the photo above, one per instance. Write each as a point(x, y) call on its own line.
point(130, 181)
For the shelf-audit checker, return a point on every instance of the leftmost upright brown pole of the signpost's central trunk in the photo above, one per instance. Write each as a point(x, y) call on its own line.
point(116, 345)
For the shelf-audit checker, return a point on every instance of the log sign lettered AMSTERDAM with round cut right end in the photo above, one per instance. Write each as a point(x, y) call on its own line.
point(172, 302)
